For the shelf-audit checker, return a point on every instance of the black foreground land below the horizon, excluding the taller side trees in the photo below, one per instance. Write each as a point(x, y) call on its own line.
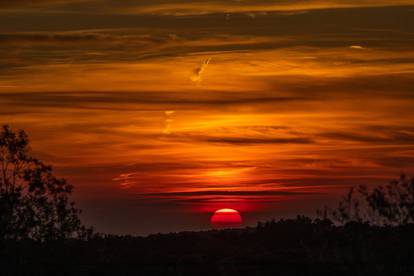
point(287, 247)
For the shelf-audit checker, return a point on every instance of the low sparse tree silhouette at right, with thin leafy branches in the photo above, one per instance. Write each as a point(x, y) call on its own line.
point(391, 204)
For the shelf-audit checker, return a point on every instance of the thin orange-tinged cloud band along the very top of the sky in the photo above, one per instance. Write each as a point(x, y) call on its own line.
point(181, 7)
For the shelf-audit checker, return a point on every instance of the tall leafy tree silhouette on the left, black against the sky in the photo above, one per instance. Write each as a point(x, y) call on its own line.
point(34, 204)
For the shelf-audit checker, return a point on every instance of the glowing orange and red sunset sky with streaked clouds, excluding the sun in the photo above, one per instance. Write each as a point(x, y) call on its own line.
point(160, 112)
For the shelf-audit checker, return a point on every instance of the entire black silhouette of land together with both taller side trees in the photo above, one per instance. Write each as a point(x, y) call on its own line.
point(369, 232)
